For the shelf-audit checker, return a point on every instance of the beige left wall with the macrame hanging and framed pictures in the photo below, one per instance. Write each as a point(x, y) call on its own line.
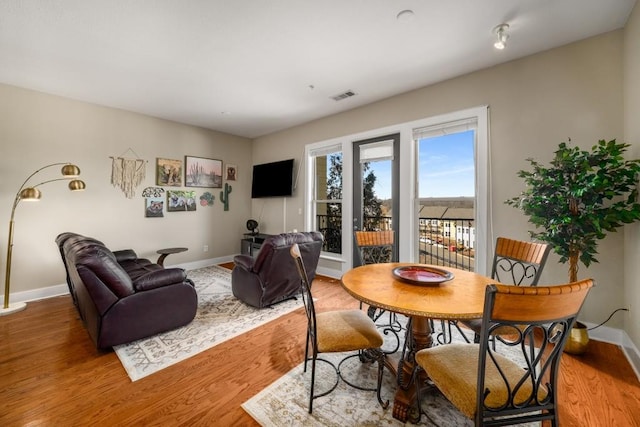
point(37, 129)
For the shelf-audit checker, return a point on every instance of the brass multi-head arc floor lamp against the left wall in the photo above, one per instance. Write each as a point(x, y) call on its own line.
point(70, 172)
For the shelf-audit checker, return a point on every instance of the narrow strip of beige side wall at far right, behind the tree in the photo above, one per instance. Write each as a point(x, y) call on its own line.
point(632, 136)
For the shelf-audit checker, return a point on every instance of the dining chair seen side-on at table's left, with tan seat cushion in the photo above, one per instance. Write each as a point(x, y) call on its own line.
point(336, 332)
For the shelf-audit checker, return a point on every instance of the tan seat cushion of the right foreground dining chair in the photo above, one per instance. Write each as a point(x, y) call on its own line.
point(454, 370)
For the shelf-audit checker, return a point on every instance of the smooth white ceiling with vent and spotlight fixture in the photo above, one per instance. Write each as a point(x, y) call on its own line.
point(252, 67)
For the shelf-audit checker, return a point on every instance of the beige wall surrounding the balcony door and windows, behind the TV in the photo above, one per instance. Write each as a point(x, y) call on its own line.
point(535, 103)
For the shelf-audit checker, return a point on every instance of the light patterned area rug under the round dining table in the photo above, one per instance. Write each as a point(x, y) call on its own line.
point(286, 401)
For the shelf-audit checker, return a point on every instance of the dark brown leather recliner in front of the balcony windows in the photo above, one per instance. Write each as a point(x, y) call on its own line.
point(271, 276)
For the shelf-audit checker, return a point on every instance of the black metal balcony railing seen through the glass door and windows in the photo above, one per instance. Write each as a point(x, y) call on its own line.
point(444, 242)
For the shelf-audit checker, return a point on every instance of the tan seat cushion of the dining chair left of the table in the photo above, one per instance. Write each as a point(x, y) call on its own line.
point(346, 330)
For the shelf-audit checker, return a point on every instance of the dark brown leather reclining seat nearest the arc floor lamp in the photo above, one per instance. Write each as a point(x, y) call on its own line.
point(121, 297)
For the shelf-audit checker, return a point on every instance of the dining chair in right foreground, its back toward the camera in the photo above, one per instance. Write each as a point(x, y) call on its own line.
point(493, 389)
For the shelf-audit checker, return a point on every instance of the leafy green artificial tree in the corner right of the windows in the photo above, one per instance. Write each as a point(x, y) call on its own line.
point(578, 198)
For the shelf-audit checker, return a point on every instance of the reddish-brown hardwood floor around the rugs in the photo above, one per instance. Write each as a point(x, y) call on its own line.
point(52, 375)
